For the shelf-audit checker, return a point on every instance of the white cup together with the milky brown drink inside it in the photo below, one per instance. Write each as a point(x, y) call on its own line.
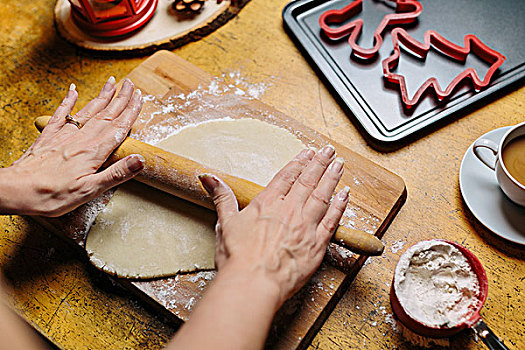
point(508, 160)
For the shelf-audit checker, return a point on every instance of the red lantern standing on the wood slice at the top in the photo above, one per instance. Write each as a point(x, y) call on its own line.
point(110, 18)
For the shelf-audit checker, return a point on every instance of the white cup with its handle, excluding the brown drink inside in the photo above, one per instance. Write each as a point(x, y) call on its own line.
point(510, 186)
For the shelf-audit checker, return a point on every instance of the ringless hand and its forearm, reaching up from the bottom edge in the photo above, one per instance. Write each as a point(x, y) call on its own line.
point(265, 252)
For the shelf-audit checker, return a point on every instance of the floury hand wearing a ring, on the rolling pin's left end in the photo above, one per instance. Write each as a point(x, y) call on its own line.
point(60, 171)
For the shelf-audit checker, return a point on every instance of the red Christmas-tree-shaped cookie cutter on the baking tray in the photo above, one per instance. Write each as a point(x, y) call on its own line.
point(471, 43)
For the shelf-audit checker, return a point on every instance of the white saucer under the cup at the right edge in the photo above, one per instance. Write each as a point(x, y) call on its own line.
point(485, 199)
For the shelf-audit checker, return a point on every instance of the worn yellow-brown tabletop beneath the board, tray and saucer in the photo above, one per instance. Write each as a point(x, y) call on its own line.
point(63, 297)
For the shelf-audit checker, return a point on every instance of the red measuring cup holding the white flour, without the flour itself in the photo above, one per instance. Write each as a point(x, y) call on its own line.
point(443, 332)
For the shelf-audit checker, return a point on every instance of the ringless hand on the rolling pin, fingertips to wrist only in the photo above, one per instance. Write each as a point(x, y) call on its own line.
point(282, 235)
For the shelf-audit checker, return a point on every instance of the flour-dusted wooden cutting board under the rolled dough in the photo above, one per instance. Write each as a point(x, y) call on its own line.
point(178, 94)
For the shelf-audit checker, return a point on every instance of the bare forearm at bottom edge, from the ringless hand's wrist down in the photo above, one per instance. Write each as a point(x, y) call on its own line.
point(235, 313)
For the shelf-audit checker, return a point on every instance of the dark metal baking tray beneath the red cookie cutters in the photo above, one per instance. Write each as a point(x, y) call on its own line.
point(375, 106)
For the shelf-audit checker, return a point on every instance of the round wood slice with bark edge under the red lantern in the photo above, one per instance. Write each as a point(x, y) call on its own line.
point(166, 29)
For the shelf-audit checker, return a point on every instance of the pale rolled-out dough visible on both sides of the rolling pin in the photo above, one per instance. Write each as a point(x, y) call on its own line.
point(144, 233)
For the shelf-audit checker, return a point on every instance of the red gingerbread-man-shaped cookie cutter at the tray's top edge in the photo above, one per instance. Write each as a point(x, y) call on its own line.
point(407, 11)
